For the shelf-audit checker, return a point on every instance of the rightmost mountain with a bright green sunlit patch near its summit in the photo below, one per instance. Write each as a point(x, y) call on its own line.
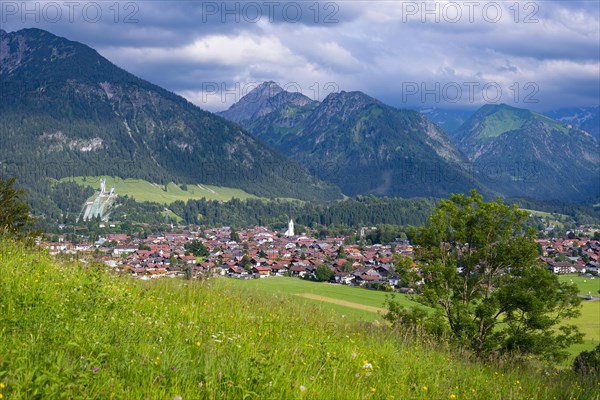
point(525, 154)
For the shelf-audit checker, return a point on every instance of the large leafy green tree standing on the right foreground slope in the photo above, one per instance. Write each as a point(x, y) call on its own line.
point(478, 269)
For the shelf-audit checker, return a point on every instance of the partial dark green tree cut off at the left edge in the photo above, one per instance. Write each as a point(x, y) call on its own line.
point(14, 212)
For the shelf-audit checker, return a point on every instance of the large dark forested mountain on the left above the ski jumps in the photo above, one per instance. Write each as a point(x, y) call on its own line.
point(67, 111)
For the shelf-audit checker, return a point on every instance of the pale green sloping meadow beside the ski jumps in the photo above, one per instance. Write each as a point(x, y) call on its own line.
point(142, 190)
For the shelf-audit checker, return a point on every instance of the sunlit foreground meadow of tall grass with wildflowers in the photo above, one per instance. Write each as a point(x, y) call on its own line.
point(75, 331)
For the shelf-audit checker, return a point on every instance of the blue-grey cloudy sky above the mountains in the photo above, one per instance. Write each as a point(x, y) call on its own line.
point(541, 55)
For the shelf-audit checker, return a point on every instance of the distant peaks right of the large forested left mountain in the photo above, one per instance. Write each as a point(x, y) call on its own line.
point(367, 147)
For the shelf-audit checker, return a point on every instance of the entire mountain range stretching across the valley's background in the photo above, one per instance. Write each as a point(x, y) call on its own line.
point(67, 111)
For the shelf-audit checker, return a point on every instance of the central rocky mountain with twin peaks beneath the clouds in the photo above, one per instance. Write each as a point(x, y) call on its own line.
point(356, 142)
